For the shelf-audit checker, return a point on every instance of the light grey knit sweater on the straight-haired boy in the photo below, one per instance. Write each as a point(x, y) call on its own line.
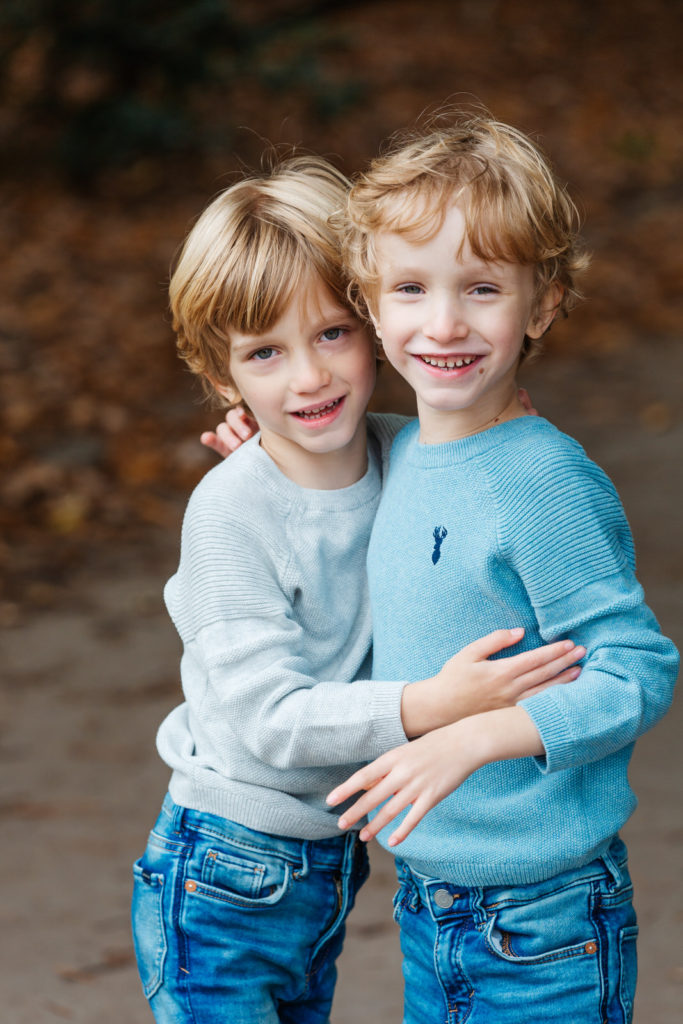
point(271, 602)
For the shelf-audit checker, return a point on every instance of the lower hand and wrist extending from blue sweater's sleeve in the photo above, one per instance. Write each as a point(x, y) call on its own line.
point(423, 773)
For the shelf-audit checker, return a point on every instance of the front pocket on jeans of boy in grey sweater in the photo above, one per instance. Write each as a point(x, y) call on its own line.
point(244, 879)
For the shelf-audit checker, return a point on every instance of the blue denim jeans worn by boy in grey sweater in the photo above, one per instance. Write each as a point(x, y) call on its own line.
point(237, 926)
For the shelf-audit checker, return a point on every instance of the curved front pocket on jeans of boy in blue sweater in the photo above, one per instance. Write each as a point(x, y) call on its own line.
point(552, 927)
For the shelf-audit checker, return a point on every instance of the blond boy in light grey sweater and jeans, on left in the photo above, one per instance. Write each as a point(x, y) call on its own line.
point(241, 898)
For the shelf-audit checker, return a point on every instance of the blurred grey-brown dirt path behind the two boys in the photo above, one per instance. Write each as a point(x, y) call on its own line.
point(86, 687)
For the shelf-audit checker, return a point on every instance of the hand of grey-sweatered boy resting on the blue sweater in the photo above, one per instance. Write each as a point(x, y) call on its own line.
point(469, 684)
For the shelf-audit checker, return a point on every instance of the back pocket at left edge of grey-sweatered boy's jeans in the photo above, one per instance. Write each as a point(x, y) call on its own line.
point(149, 930)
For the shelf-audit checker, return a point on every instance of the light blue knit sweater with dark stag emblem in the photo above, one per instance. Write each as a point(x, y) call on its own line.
point(517, 527)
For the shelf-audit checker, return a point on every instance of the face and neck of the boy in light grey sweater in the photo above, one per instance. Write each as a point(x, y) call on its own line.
point(308, 380)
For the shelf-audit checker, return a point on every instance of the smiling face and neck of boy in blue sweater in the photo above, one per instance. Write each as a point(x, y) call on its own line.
point(454, 327)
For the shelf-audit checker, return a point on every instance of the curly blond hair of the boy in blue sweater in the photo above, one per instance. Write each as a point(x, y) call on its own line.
point(516, 209)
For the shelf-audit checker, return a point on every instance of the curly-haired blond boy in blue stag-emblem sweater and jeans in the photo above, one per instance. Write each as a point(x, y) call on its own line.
point(516, 903)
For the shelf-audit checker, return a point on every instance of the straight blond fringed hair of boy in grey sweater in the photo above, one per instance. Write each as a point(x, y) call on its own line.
point(253, 247)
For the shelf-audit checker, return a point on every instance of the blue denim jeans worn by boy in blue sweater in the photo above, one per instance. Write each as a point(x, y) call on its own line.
point(561, 951)
